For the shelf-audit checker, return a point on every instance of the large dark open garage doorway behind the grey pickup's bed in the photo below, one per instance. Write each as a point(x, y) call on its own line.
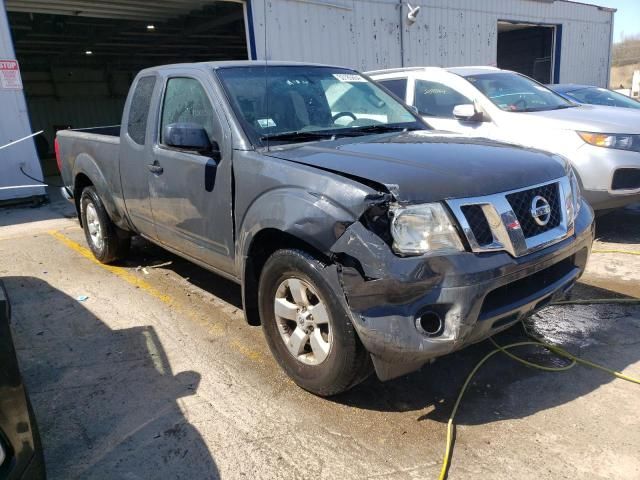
point(77, 65)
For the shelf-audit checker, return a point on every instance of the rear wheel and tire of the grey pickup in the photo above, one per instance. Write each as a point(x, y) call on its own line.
point(107, 242)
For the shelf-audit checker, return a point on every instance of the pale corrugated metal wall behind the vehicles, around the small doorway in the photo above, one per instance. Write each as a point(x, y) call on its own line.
point(366, 33)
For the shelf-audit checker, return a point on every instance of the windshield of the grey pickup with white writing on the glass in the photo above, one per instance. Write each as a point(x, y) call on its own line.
point(302, 103)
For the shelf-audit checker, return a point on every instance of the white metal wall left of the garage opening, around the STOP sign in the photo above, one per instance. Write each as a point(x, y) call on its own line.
point(14, 124)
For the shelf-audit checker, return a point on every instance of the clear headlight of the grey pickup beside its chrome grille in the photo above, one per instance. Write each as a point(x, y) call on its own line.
point(418, 229)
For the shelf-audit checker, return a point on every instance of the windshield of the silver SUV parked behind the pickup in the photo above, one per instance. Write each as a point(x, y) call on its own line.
point(512, 92)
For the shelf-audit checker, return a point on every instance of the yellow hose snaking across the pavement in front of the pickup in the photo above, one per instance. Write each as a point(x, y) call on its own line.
point(504, 349)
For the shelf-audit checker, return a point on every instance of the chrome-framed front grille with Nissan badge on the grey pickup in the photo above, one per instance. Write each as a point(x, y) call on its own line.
point(505, 221)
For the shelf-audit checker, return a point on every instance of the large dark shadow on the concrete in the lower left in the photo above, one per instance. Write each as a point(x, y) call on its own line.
point(105, 400)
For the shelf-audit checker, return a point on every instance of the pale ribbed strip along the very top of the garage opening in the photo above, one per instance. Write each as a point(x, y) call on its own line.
point(126, 9)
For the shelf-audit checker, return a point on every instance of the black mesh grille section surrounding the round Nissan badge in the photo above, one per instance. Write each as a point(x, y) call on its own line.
point(521, 204)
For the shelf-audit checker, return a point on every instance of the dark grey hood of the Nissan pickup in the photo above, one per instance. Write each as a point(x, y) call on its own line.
point(426, 166)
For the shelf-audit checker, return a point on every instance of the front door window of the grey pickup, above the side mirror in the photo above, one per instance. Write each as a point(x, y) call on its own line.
point(185, 101)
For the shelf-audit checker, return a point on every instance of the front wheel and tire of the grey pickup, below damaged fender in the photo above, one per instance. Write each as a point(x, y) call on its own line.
point(311, 336)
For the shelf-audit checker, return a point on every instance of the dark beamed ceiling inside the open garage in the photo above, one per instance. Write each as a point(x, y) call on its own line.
point(214, 31)
